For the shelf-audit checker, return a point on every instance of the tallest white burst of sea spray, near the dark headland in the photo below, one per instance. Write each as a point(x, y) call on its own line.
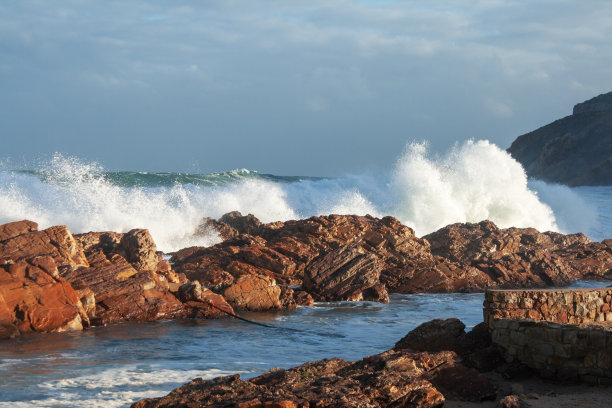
point(473, 182)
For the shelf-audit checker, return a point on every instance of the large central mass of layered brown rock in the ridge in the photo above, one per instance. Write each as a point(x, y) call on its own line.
point(335, 257)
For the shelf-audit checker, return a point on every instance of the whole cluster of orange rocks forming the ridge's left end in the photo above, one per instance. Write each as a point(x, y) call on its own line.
point(50, 281)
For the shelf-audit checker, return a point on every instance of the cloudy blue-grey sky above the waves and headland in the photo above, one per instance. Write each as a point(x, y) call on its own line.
point(317, 88)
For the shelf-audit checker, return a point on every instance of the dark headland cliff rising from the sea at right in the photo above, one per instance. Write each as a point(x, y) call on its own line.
point(575, 150)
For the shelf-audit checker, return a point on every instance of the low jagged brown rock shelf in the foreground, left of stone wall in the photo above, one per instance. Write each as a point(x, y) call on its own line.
point(395, 378)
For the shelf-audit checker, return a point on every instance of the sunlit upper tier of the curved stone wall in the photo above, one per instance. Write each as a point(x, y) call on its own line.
point(574, 306)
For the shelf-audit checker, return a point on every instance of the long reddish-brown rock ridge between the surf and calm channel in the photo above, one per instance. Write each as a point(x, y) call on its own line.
point(52, 280)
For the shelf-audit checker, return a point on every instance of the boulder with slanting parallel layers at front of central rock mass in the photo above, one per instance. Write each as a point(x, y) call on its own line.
point(345, 274)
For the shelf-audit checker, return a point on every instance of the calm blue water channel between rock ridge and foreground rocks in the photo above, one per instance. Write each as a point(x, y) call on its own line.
point(116, 365)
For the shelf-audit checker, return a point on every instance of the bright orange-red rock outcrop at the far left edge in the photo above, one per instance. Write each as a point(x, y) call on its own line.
point(33, 295)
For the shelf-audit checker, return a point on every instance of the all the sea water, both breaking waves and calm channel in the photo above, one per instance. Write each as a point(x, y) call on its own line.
point(116, 365)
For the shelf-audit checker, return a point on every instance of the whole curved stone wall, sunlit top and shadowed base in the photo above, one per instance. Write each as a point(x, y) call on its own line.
point(564, 334)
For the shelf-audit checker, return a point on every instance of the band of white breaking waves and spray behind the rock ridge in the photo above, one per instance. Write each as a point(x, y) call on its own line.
point(472, 182)
